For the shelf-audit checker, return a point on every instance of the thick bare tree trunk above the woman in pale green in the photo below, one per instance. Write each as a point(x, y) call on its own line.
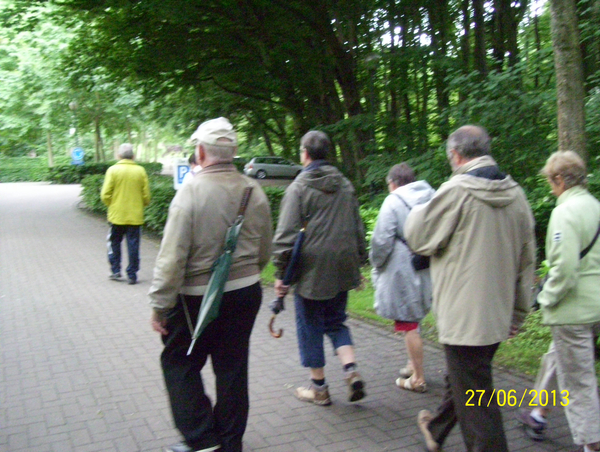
point(569, 77)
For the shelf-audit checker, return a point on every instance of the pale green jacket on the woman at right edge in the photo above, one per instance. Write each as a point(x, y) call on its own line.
point(571, 295)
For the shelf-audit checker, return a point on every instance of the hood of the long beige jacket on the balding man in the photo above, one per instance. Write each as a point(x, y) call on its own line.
point(494, 192)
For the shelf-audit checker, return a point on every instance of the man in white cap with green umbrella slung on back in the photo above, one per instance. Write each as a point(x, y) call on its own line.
point(194, 236)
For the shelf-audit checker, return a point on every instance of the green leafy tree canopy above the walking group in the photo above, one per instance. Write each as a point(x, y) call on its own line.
point(388, 80)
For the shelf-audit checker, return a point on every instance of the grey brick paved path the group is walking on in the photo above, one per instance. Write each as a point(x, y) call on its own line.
point(80, 372)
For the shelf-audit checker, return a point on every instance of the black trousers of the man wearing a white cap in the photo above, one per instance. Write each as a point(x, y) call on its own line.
point(226, 340)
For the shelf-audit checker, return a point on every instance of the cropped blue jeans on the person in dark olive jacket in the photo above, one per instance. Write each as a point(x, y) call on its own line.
point(315, 318)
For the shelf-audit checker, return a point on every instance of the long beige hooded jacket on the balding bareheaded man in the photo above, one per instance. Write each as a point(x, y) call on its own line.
point(480, 234)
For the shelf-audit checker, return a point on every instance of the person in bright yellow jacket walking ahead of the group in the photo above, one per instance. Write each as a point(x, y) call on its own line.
point(125, 192)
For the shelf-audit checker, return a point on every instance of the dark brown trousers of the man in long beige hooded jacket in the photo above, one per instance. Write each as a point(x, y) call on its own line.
point(470, 369)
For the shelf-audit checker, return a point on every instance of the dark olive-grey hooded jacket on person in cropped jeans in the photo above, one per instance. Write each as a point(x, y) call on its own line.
point(334, 245)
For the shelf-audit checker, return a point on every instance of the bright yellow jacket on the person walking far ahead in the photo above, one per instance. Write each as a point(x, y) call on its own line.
point(125, 192)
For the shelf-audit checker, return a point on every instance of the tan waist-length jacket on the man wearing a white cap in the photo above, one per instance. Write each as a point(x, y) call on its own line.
point(194, 235)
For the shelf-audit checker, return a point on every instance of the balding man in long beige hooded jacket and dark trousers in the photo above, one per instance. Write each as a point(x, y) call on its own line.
point(479, 231)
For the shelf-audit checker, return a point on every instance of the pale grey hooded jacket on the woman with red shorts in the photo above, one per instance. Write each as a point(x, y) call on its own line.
point(401, 293)
